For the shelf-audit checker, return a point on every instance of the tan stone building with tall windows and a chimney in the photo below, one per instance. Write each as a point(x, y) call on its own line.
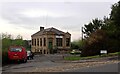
point(50, 40)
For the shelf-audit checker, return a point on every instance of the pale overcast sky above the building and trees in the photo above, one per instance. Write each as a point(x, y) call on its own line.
point(25, 17)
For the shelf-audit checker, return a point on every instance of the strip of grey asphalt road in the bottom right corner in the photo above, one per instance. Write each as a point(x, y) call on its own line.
point(103, 68)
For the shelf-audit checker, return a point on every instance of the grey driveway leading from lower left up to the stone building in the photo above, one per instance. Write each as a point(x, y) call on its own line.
point(39, 61)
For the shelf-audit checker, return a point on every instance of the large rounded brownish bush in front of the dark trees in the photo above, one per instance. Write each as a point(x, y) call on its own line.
point(95, 43)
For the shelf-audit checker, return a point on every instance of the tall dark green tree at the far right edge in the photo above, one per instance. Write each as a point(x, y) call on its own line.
point(114, 24)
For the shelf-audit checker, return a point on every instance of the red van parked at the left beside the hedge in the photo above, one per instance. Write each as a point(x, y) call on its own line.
point(17, 53)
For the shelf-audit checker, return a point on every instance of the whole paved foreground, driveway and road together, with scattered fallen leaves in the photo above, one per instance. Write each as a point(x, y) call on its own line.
point(52, 63)
